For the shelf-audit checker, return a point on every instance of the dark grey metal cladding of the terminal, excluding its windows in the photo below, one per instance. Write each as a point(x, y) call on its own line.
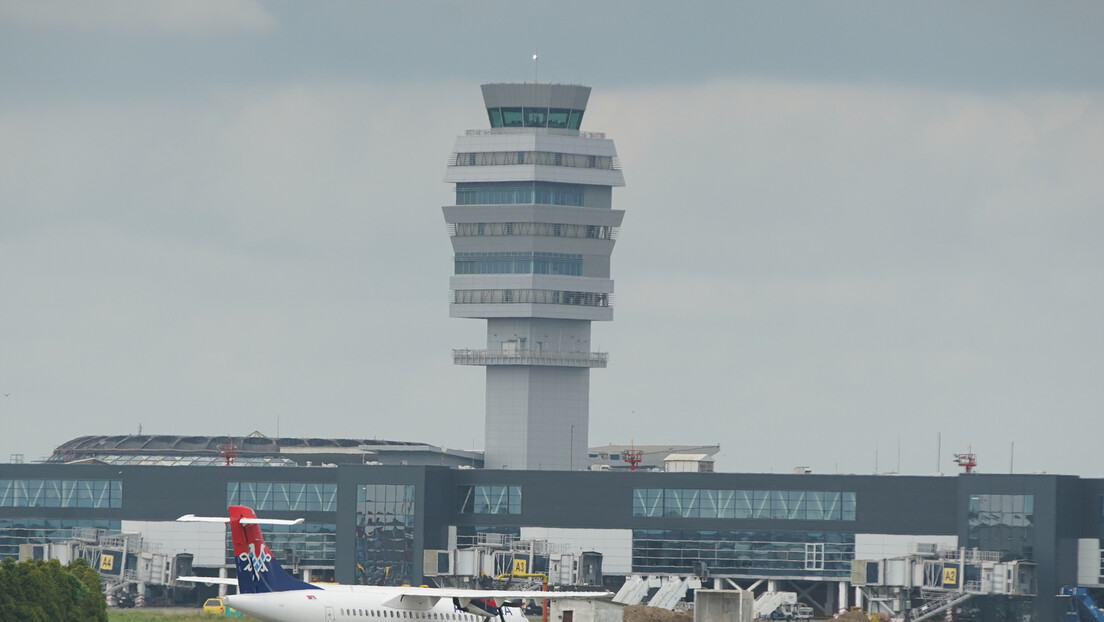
point(1066, 508)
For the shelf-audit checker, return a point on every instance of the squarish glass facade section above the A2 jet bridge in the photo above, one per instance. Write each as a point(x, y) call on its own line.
point(1003, 523)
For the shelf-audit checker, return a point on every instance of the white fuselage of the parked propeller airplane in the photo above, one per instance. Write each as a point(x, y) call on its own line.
point(356, 604)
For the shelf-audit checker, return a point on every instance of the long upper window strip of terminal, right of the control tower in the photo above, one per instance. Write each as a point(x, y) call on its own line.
point(785, 505)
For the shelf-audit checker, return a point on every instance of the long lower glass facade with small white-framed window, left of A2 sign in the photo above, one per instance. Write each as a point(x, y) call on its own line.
point(753, 554)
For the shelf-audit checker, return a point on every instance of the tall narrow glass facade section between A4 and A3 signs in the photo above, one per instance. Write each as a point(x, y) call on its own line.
point(386, 530)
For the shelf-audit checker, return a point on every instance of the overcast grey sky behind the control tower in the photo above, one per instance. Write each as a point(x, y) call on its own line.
point(852, 227)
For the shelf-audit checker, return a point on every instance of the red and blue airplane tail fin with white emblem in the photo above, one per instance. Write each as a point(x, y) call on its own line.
point(258, 568)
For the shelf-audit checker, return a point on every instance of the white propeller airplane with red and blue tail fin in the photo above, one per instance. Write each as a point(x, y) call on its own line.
point(269, 594)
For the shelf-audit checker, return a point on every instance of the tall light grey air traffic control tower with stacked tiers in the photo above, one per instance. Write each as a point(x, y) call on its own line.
point(533, 231)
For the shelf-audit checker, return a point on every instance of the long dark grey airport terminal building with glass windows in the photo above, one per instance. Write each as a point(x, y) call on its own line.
point(381, 524)
